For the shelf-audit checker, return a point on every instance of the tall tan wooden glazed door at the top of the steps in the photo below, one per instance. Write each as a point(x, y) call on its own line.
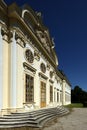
point(43, 94)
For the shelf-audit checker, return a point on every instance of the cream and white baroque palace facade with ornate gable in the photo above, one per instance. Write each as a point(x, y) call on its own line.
point(29, 78)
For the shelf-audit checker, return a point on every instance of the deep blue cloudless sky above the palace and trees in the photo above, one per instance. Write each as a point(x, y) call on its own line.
point(67, 23)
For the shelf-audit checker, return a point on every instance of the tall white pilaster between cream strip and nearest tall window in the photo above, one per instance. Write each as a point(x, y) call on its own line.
point(13, 71)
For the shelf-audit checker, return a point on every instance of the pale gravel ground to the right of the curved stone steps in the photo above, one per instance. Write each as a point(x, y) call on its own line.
point(76, 120)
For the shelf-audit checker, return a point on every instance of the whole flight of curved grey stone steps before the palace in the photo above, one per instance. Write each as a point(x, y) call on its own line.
point(33, 119)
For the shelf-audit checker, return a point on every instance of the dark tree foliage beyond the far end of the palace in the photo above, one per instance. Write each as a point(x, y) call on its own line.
point(78, 95)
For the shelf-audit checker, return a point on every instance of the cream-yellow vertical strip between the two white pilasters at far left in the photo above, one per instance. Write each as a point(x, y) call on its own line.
point(6, 88)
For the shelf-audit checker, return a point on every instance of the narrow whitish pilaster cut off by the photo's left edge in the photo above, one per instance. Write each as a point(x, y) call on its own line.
point(1, 69)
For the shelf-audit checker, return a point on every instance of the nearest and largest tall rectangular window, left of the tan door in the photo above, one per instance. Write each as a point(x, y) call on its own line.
point(29, 88)
